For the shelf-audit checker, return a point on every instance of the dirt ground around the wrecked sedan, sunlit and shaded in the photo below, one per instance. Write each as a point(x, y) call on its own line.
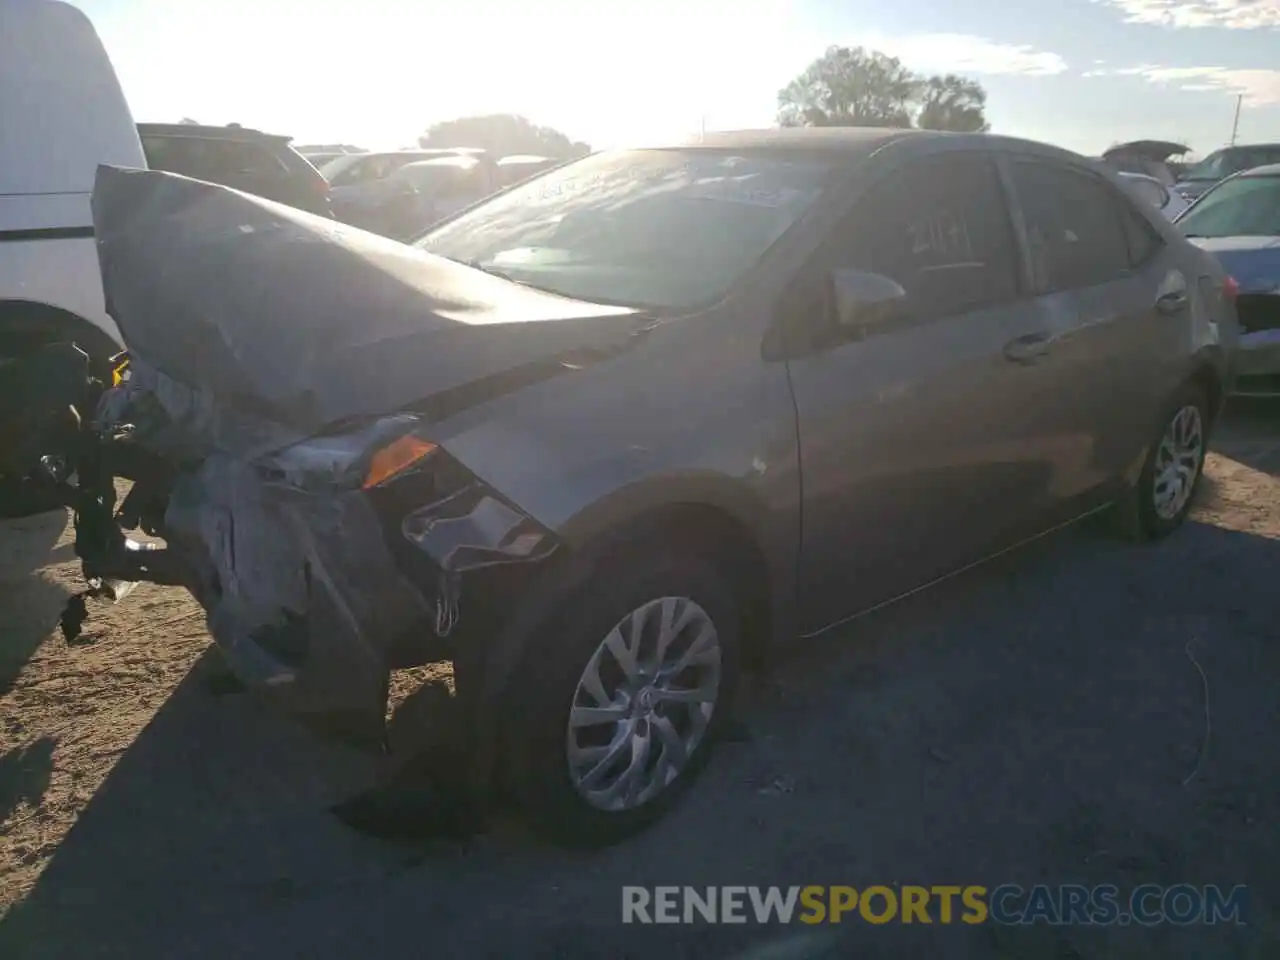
point(1039, 721)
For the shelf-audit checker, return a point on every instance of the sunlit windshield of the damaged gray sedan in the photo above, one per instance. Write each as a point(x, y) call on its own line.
point(647, 228)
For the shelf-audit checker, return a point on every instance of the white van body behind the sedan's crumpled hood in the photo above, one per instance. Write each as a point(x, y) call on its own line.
point(62, 115)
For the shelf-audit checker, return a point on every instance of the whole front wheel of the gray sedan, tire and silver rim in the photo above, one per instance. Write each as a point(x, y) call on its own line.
point(621, 701)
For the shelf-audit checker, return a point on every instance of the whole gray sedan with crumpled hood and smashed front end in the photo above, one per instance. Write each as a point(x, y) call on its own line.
point(606, 436)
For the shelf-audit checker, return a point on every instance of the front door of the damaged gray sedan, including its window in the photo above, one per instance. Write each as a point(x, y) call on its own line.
point(920, 442)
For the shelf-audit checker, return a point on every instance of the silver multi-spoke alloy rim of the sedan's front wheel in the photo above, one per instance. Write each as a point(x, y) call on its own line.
point(643, 705)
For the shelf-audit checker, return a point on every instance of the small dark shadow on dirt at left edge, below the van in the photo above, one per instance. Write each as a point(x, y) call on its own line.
point(30, 604)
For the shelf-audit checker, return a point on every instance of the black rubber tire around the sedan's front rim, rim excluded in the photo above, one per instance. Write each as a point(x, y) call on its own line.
point(538, 710)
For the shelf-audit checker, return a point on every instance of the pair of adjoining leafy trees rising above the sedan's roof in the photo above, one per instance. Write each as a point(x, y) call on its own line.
point(860, 88)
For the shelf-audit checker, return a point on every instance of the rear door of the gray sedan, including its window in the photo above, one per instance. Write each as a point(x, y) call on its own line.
point(1091, 246)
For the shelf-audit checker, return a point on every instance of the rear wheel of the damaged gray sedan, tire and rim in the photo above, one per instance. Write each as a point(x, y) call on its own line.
point(1160, 501)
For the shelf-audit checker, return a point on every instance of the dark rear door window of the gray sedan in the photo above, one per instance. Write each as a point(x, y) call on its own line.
point(1076, 232)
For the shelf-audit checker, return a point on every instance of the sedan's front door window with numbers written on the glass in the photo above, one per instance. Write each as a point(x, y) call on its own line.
point(941, 230)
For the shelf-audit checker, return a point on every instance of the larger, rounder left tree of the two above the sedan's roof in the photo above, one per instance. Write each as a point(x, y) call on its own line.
point(849, 88)
